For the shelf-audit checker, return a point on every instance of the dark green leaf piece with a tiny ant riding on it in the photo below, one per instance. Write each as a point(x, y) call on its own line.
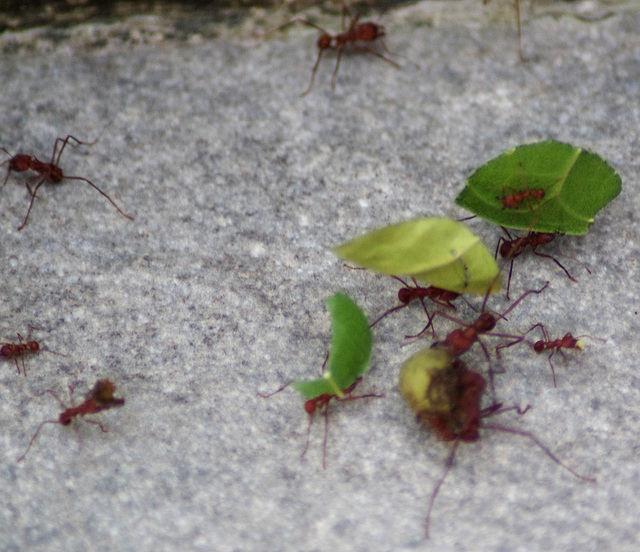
point(576, 185)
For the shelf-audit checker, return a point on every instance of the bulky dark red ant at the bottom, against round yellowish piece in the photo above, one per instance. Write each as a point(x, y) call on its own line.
point(462, 389)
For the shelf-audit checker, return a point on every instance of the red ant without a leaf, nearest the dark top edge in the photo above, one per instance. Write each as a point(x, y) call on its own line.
point(367, 31)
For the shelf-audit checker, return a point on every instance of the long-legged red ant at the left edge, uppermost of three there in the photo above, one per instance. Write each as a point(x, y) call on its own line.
point(48, 172)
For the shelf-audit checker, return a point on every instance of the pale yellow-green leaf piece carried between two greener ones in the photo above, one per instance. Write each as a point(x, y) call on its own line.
point(440, 251)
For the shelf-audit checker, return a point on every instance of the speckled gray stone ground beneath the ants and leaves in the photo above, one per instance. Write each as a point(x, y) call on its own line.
point(216, 291)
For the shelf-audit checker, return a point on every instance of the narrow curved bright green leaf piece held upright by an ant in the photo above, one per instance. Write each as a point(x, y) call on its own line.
point(351, 344)
